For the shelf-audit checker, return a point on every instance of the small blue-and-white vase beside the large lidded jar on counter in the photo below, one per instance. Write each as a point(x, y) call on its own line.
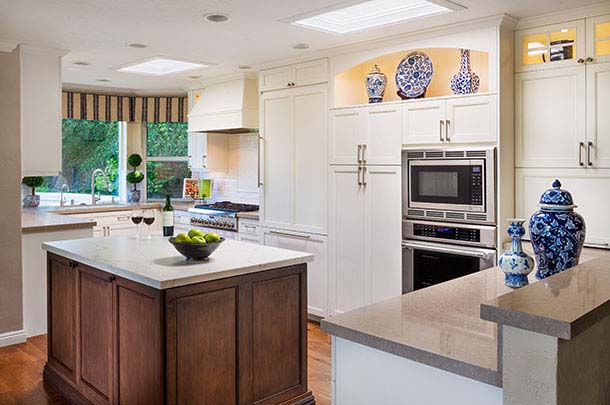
point(515, 263)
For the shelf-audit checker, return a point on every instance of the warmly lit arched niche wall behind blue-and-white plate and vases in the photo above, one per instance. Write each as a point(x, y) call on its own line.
point(349, 88)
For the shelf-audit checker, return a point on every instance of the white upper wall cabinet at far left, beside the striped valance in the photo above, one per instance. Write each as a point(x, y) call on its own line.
point(41, 145)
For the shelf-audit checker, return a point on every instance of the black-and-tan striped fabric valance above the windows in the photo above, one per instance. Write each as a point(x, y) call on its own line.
point(87, 106)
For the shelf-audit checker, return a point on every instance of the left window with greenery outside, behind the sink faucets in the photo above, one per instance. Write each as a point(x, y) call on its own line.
point(86, 146)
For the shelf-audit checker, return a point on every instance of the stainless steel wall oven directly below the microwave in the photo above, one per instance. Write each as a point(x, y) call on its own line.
point(435, 252)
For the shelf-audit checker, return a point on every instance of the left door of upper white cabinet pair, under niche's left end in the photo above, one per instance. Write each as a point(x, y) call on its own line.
point(346, 136)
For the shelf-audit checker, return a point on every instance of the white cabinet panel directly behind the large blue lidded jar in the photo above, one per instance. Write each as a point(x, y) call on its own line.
point(593, 206)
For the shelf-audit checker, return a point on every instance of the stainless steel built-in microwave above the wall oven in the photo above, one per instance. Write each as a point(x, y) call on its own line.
point(449, 184)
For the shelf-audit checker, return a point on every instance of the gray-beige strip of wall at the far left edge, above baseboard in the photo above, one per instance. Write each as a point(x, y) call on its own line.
point(11, 317)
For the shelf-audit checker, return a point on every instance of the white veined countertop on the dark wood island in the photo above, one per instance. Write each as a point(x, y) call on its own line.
point(157, 264)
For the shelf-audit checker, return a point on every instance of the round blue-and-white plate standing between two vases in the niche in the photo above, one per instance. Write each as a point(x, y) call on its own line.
point(414, 74)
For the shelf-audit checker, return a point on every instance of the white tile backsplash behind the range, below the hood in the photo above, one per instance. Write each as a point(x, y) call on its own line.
point(239, 184)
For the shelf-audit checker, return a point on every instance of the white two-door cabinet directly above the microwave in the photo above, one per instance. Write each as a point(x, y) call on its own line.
point(466, 119)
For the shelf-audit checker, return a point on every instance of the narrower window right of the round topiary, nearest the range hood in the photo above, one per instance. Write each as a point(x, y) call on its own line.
point(166, 158)
